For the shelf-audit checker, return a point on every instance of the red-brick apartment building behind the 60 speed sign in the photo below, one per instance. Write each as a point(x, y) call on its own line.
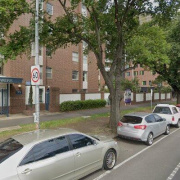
point(66, 71)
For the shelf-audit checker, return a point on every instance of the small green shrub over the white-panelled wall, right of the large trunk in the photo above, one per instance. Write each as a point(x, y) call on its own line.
point(133, 85)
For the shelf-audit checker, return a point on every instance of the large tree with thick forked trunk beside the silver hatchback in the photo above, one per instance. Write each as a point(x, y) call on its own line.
point(107, 29)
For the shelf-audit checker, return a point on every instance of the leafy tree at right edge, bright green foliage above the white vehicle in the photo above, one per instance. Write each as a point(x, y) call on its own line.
point(161, 54)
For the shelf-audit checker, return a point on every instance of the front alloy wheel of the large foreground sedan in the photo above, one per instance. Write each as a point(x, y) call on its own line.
point(109, 159)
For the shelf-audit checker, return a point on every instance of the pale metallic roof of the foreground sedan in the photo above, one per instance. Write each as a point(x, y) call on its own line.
point(41, 135)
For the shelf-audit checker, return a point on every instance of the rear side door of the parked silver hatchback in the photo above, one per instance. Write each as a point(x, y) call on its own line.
point(152, 124)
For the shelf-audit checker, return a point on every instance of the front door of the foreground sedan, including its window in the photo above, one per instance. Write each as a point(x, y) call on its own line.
point(88, 155)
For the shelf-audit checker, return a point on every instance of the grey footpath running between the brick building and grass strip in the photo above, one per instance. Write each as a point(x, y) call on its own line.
point(8, 123)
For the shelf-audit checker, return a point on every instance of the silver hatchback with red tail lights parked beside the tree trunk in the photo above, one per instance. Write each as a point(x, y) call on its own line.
point(142, 127)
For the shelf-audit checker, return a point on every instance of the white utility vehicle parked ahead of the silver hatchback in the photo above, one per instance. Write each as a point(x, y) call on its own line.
point(170, 112)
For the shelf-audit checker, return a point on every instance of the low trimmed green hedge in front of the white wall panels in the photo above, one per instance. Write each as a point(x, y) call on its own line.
point(77, 105)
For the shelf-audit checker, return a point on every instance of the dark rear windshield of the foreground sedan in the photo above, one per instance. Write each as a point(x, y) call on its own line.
point(8, 148)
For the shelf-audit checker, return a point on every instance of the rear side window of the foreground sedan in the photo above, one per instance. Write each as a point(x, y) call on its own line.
point(46, 150)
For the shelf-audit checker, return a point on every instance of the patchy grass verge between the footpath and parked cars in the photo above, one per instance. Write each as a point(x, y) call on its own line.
point(95, 124)
